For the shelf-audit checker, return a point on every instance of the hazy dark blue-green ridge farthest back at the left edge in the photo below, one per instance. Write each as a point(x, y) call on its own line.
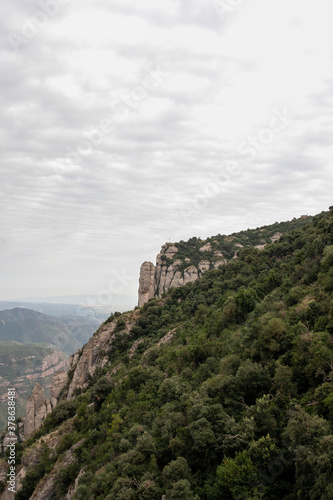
point(28, 326)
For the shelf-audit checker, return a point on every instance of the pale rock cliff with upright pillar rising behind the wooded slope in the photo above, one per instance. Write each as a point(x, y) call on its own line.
point(180, 263)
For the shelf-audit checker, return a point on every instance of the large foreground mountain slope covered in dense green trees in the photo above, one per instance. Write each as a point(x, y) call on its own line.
point(221, 388)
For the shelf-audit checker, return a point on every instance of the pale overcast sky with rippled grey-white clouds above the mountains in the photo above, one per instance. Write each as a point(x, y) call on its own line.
point(129, 124)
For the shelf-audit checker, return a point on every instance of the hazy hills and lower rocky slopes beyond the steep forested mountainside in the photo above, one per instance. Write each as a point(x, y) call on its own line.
point(33, 347)
